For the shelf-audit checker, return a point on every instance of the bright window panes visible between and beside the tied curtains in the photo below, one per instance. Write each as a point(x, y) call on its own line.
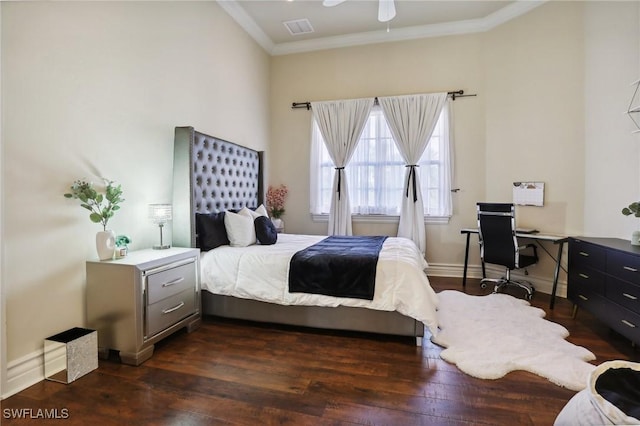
point(376, 172)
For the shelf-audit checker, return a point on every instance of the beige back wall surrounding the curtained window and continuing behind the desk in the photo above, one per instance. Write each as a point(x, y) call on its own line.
point(527, 122)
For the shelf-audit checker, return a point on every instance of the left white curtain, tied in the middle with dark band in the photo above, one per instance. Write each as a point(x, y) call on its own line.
point(341, 123)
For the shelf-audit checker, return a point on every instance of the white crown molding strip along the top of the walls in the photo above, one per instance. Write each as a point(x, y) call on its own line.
point(499, 17)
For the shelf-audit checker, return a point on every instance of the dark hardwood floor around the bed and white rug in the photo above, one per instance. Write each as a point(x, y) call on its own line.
point(247, 374)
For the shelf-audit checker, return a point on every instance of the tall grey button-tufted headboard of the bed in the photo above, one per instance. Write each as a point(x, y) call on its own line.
point(211, 175)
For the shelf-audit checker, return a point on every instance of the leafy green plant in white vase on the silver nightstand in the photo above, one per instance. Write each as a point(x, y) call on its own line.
point(102, 207)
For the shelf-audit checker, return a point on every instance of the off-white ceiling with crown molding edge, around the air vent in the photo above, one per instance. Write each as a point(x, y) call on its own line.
point(355, 22)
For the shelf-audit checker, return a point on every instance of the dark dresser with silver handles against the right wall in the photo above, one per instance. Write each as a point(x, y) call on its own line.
point(604, 278)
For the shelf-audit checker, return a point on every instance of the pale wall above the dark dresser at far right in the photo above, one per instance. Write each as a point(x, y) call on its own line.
point(612, 152)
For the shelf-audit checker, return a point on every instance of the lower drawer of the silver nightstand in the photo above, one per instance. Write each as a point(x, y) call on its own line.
point(169, 311)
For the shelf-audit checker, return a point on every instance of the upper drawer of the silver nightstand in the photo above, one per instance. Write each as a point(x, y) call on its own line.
point(170, 281)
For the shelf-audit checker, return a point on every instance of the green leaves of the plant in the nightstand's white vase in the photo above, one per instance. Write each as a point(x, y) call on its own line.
point(102, 207)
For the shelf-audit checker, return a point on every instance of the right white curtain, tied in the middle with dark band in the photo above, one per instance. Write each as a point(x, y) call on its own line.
point(412, 119)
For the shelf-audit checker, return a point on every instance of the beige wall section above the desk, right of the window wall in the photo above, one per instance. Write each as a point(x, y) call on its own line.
point(535, 118)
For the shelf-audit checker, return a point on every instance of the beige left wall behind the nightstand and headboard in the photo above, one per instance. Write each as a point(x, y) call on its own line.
point(95, 89)
